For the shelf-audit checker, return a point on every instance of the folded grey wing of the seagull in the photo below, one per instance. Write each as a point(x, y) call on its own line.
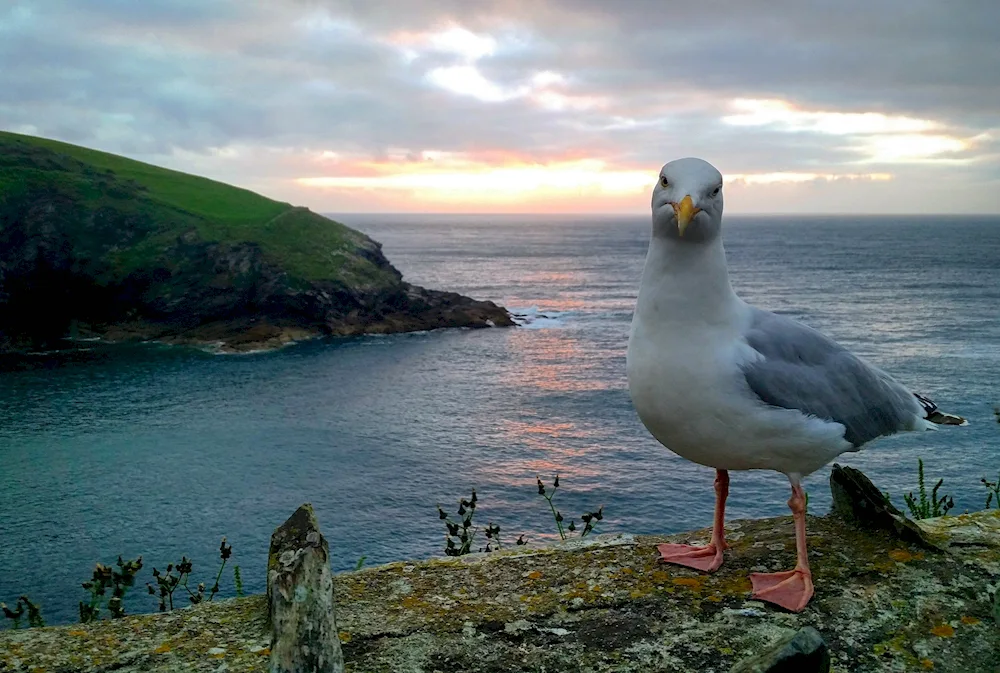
point(805, 370)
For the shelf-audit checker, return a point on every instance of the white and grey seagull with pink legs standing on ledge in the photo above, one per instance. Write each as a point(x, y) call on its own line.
point(733, 387)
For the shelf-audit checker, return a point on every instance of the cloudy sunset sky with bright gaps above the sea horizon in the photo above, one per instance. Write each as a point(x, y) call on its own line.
point(806, 106)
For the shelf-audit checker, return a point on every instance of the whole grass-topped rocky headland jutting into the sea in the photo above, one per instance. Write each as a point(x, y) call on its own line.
point(97, 245)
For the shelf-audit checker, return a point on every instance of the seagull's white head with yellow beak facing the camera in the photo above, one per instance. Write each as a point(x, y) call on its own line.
point(687, 201)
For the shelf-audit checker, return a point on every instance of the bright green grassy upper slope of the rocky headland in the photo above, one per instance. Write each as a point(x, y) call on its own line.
point(173, 203)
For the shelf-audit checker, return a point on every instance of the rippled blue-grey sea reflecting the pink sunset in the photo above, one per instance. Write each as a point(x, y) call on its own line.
point(161, 451)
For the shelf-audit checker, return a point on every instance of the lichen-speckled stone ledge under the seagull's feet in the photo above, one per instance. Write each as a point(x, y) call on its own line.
point(881, 604)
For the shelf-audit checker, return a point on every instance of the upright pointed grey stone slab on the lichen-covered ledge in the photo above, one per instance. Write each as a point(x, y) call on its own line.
point(300, 601)
